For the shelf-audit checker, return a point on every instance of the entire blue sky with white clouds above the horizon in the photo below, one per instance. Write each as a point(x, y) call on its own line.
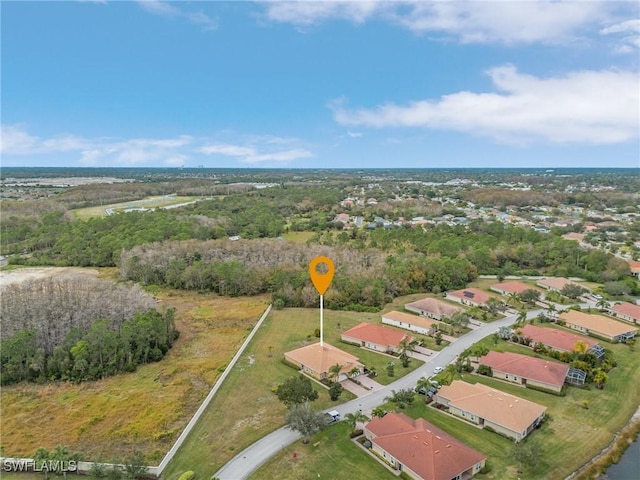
point(321, 84)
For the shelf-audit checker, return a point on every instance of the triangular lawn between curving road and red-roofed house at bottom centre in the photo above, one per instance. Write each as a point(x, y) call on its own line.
point(329, 454)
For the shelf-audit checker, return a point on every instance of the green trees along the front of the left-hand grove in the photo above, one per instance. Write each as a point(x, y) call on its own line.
point(88, 354)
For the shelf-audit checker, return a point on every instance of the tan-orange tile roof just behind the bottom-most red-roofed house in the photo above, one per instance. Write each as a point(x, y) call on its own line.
point(509, 411)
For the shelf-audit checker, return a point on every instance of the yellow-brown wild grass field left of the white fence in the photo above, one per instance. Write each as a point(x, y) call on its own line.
point(145, 410)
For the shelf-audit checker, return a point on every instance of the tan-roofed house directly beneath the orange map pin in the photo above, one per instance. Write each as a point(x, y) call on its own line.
point(316, 360)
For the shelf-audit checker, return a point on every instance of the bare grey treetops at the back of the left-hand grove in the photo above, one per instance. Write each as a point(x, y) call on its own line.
point(54, 307)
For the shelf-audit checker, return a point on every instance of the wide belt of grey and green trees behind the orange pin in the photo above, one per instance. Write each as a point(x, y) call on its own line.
point(363, 278)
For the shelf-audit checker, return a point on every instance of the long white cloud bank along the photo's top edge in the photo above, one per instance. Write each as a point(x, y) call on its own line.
point(504, 21)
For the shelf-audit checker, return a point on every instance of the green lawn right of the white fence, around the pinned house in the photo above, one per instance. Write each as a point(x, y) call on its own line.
point(245, 409)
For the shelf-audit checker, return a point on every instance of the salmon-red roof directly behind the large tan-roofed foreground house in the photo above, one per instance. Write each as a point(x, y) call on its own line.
point(524, 366)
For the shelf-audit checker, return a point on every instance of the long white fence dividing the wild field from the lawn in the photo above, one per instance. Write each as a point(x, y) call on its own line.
point(8, 462)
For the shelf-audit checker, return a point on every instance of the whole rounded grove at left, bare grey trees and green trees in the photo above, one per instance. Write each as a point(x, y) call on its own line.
point(72, 329)
